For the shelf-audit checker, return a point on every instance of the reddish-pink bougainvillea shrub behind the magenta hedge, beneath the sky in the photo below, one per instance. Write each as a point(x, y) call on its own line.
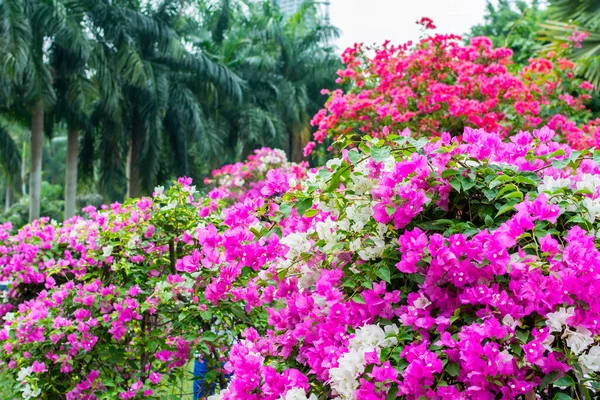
point(440, 85)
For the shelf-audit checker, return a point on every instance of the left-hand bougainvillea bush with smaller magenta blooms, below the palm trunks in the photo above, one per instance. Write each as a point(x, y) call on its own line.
point(116, 304)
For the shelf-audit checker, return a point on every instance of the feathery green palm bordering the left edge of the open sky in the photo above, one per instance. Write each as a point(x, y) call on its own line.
point(285, 64)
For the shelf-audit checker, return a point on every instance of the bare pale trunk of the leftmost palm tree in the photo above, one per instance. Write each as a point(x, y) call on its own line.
point(35, 173)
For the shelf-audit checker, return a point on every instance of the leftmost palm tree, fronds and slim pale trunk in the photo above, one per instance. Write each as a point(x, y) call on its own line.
point(30, 30)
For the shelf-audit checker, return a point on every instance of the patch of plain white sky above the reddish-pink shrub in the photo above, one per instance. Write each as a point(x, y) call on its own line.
point(374, 21)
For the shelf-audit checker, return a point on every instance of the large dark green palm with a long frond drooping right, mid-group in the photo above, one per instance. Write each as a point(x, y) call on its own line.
point(150, 87)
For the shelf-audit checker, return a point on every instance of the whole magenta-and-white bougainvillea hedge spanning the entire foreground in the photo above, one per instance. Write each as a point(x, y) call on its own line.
point(440, 268)
